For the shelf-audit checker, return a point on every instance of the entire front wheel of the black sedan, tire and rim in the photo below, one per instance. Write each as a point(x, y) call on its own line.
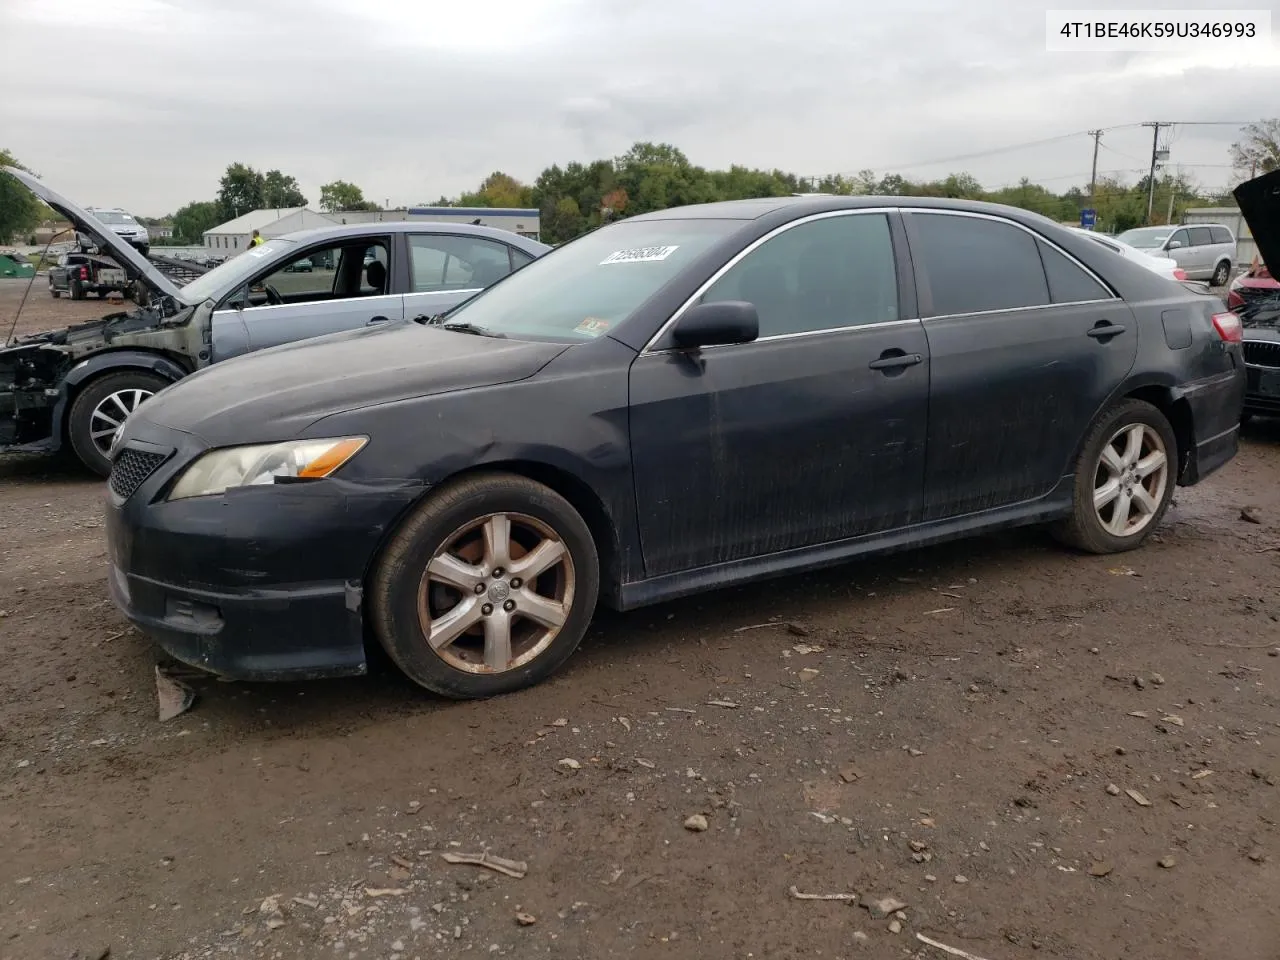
point(487, 588)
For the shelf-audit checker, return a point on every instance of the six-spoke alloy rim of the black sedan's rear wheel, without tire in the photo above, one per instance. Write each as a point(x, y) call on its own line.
point(1131, 481)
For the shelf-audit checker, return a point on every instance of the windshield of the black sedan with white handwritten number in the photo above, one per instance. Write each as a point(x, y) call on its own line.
point(588, 287)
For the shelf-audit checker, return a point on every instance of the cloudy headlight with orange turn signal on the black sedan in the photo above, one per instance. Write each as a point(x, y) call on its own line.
point(254, 467)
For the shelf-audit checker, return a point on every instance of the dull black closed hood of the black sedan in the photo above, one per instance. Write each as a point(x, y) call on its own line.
point(277, 394)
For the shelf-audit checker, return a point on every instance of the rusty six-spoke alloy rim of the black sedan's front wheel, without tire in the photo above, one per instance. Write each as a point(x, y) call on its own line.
point(497, 593)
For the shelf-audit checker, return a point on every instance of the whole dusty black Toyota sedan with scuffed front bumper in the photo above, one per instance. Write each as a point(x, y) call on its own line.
point(676, 403)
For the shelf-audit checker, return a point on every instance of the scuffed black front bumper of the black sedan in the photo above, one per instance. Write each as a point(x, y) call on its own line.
point(255, 584)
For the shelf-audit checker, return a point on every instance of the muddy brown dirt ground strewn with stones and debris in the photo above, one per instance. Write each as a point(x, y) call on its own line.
point(1004, 737)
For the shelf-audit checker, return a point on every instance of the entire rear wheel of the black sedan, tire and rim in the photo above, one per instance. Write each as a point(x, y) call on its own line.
point(1124, 481)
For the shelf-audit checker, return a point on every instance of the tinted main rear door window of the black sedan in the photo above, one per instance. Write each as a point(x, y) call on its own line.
point(975, 264)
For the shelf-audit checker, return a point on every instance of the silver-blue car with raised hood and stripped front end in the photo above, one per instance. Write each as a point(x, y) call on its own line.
point(75, 387)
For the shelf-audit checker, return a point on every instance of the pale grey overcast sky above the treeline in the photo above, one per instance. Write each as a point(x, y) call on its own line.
point(143, 103)
